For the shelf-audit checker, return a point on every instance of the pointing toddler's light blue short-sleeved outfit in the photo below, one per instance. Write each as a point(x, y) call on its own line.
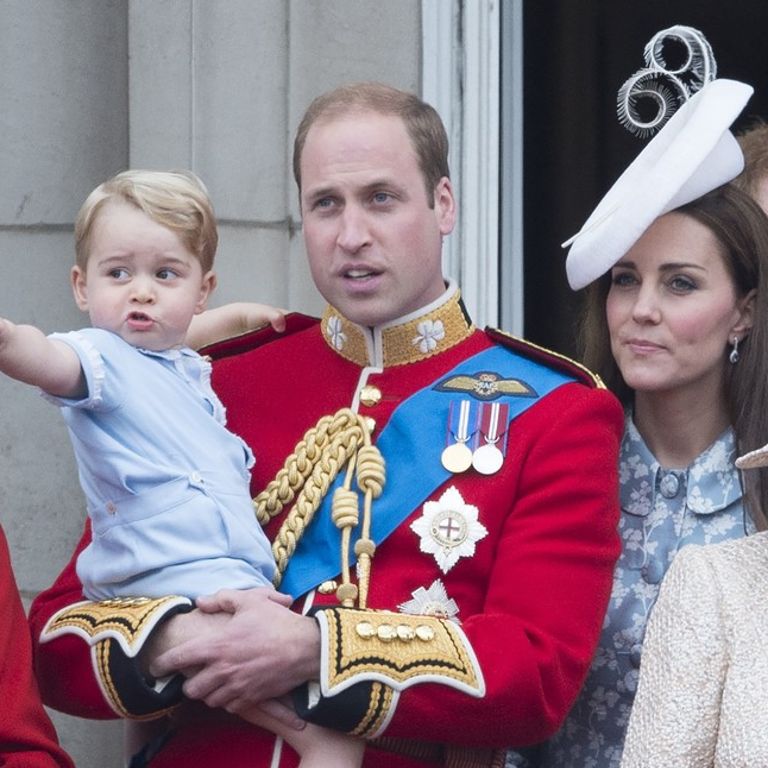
point(166, 484)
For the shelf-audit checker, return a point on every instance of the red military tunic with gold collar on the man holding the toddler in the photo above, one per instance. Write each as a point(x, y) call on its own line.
point(518, 562)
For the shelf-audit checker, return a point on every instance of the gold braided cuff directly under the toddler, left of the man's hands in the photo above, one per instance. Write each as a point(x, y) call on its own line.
point(128, 620)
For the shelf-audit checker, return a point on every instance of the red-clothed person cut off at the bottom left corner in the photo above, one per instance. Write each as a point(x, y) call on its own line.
point(27, 737)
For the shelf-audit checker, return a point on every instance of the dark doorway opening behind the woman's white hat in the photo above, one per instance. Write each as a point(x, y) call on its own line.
point(577, 54)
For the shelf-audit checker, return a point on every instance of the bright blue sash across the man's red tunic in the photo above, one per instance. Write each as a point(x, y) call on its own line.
point(411, 443)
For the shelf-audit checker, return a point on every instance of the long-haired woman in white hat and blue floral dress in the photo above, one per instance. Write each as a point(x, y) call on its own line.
point(677, 325)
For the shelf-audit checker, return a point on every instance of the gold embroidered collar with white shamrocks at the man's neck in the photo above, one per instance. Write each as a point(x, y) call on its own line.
point(417, 336)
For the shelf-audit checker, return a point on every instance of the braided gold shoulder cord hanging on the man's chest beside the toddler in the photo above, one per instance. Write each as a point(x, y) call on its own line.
point(336, 441)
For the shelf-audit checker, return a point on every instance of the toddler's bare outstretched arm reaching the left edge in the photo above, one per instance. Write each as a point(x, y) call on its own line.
point(29, 356)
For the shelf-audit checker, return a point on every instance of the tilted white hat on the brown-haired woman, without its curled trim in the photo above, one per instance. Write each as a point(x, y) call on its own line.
point(693, 153)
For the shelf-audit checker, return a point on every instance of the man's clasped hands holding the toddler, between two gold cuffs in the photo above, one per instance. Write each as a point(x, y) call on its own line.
point(262, 651)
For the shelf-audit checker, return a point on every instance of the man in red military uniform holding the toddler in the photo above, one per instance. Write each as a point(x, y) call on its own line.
point(469, 476)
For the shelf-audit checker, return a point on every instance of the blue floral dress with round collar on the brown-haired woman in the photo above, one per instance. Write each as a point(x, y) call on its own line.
point(662, 511)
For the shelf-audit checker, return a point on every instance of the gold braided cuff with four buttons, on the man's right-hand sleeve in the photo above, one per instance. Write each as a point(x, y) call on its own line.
point(399, 650)
